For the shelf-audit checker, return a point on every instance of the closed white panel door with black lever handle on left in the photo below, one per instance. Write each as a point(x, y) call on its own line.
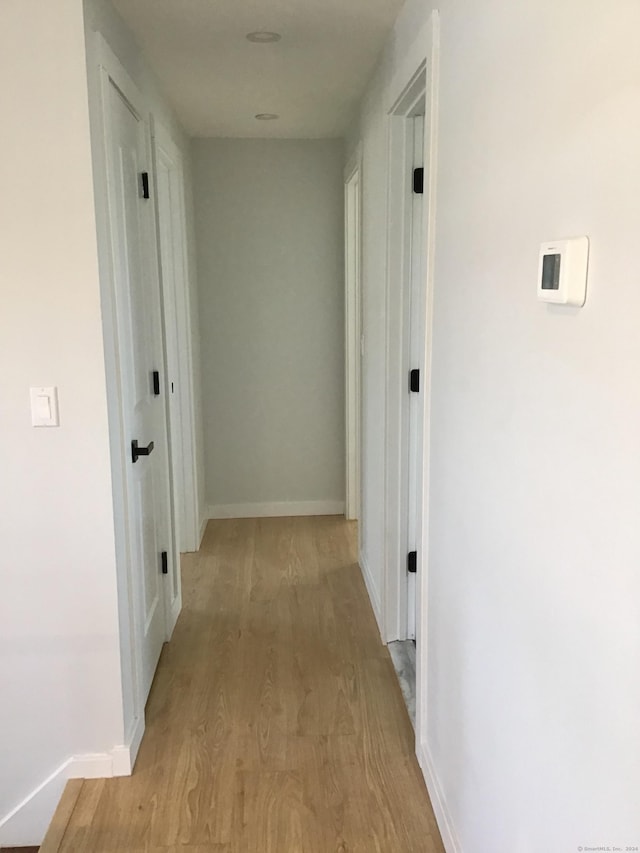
point(139, 347)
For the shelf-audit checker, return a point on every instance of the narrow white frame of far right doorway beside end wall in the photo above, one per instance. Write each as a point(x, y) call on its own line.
point(353, 332)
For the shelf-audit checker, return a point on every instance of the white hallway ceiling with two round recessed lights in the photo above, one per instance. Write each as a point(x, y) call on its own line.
point(217, 81)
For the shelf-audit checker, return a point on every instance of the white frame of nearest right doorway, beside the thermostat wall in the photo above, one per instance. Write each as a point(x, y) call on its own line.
point(422, 61)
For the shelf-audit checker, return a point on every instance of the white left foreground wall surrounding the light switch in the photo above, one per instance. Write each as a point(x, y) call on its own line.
point(59, 661)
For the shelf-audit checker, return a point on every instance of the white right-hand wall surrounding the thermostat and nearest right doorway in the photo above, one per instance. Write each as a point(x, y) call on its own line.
point(533, 675)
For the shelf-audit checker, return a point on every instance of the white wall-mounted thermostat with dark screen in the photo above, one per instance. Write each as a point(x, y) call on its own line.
point(562, 274)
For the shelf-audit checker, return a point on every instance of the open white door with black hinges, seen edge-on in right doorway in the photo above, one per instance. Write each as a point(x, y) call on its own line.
point(416, 361)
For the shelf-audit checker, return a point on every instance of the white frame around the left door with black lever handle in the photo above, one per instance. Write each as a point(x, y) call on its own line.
point(104, 70)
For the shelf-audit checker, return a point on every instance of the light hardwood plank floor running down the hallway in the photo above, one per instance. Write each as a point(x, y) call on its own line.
point(275, 722)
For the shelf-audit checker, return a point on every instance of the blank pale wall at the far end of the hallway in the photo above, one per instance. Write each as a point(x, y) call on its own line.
point(269, 217)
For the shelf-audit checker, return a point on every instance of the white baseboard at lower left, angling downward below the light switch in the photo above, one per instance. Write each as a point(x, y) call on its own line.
point(27, 823)
